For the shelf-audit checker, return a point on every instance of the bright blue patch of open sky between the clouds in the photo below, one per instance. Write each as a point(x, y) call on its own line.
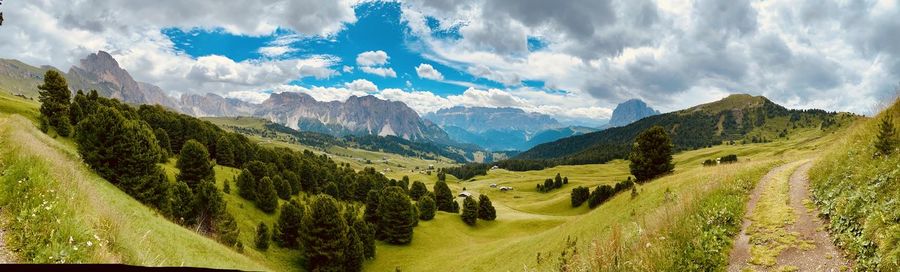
point(378, 27)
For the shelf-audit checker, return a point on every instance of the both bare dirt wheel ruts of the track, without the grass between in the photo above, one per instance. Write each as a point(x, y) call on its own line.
point(818, 254)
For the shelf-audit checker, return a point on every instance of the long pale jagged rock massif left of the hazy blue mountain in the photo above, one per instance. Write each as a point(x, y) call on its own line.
point(357, 115)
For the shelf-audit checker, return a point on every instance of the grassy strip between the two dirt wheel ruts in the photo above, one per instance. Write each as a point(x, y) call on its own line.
point(768, 230)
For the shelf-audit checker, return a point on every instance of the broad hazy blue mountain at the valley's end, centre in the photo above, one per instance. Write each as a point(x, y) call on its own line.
point(501, 128)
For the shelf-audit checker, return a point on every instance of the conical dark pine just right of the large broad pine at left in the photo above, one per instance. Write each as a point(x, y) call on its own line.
point(194, 165)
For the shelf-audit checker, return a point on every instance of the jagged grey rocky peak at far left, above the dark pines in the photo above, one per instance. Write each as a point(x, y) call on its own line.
point(101, 72)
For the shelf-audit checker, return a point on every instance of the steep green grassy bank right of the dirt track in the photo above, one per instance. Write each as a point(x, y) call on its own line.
point(859, 193)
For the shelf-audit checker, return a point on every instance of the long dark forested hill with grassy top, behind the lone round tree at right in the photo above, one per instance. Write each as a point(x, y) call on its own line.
point(738, 118)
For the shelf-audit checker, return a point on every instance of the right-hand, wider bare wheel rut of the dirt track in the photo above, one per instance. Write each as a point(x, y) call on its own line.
point(825, 256)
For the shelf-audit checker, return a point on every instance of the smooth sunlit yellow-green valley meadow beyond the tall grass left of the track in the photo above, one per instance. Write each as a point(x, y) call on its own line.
point(529, 222)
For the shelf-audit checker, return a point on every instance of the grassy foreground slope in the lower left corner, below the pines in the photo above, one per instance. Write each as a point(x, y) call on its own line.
point(90, 209)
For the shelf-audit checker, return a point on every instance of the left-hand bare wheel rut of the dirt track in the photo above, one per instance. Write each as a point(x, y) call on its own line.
point(740, 253)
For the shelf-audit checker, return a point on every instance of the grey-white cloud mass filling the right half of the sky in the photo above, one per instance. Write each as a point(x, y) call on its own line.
point(801, 53)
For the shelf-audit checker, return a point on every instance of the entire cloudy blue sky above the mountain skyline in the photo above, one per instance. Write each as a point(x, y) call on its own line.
point(574, 60)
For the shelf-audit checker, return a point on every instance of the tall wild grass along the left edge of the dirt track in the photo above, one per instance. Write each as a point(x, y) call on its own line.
point(690, 232)
